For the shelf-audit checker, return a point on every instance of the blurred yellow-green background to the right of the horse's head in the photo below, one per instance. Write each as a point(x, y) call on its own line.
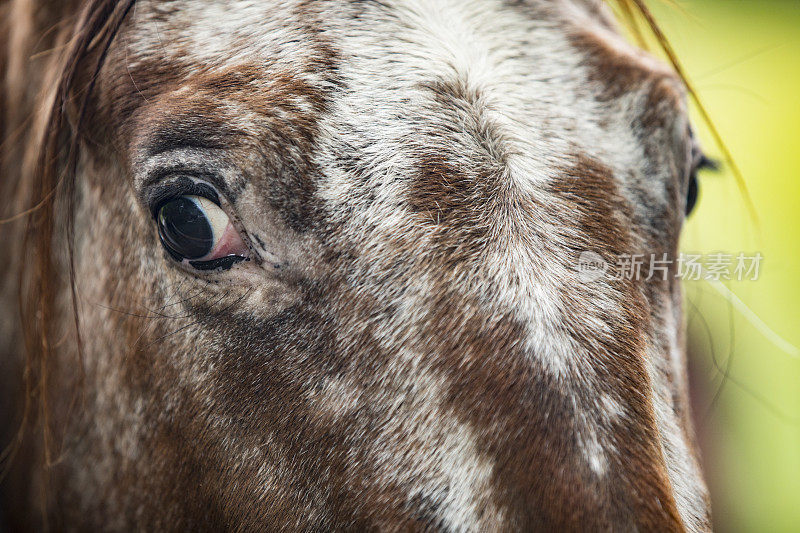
point(744, 60)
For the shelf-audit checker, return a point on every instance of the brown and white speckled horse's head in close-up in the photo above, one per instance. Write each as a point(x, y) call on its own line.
point(310, 265)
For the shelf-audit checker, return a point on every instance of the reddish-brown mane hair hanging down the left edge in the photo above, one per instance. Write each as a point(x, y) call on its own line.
point(39, 153)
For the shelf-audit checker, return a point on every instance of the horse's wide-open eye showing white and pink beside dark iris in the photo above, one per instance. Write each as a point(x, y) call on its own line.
point(196, 230)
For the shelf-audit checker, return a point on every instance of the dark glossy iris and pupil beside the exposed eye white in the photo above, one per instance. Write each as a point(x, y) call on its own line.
point(184, 229)
